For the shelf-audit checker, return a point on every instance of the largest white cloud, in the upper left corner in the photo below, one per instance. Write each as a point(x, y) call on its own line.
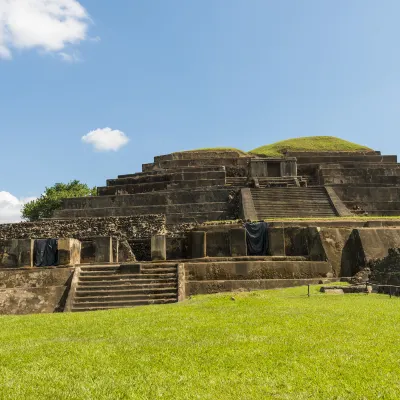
point(48, 25)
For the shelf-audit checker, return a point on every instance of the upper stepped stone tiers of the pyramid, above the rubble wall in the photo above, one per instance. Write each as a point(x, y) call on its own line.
point(204, 186)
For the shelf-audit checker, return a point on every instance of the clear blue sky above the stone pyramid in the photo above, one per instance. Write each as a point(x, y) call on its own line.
point(180, 74)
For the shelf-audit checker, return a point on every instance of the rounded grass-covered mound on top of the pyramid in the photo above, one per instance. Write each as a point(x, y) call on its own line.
point(309, 143)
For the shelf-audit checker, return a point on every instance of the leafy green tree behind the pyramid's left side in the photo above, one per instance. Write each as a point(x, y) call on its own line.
point(51, 199)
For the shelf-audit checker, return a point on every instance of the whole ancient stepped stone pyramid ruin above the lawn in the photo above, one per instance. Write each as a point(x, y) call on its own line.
point(177, 229)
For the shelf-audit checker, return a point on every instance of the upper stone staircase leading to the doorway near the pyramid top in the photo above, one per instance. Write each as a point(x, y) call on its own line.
point(292, 202)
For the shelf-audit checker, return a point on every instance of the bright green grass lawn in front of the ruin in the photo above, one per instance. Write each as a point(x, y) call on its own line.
point(275, 344)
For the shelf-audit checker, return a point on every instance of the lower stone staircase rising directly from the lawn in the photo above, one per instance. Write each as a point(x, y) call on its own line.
point(102, 287)
